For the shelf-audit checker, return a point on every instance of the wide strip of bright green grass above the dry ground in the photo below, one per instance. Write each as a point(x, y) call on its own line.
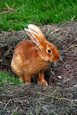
point(36, 11)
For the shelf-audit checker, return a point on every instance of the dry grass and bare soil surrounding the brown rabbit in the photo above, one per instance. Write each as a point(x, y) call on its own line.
point(60, 97)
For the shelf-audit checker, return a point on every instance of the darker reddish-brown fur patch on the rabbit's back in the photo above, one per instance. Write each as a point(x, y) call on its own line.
point(25, 49)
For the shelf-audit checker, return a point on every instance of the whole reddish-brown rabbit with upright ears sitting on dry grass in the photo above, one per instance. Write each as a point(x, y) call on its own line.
point(31, 57)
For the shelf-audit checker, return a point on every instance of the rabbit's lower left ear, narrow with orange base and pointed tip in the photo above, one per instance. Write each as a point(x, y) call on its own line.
point(34, 37)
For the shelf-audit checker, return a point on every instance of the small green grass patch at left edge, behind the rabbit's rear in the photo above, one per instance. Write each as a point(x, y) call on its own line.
point(7, 77)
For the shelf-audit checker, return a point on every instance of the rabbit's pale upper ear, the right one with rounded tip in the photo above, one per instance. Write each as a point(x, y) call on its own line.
point(36, 30)
